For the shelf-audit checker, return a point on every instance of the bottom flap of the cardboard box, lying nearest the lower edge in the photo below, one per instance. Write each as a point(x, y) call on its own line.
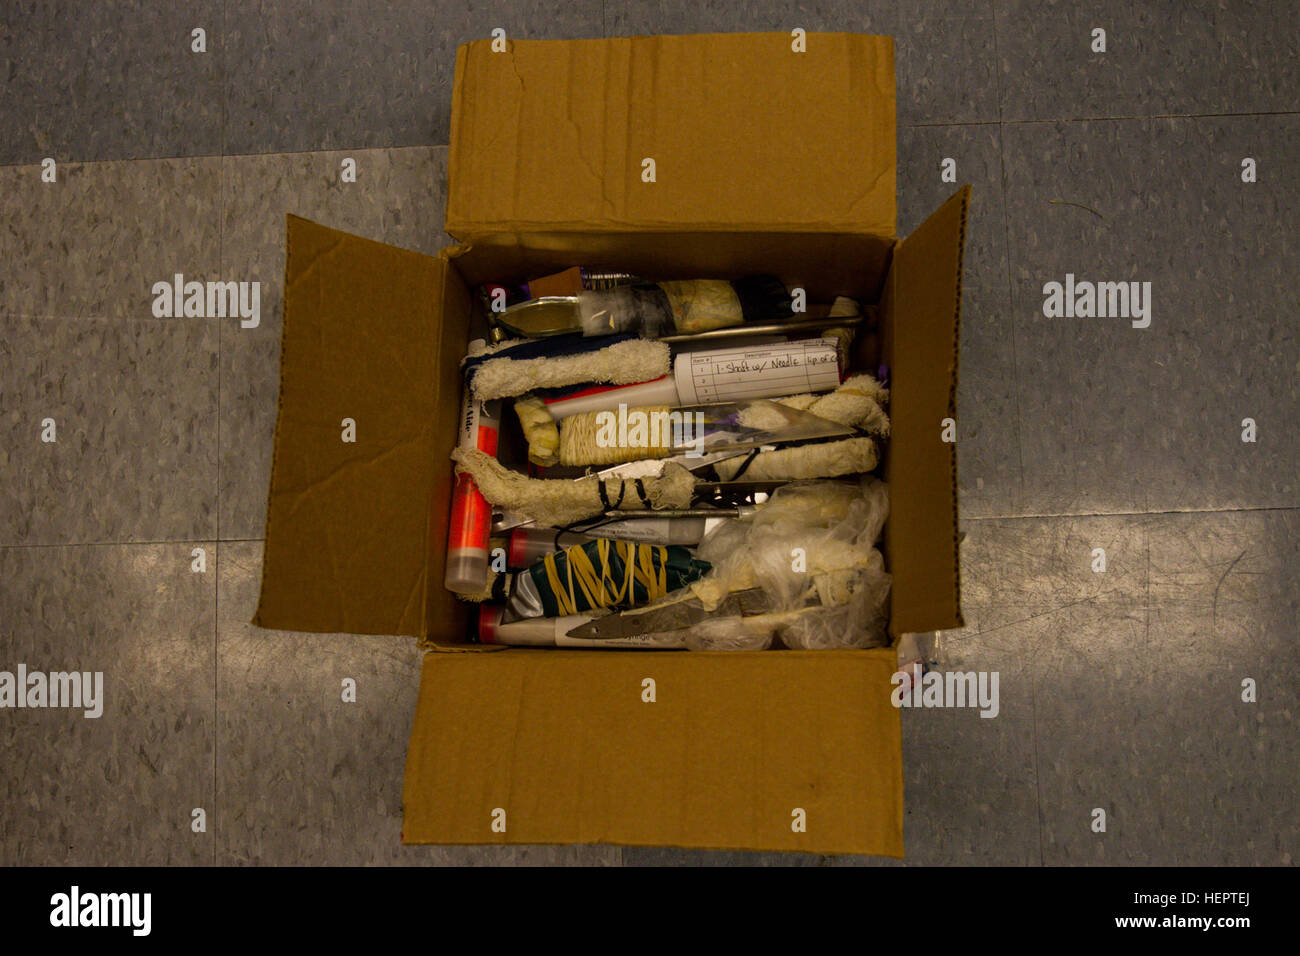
point(733, 746)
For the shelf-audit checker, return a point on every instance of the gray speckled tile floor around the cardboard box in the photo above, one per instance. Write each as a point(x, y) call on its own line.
point(1120, 690)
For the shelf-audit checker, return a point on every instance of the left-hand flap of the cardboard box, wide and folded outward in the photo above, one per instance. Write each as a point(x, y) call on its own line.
point(348, 524)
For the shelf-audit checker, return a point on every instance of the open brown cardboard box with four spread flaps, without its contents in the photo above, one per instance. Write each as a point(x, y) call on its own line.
point(765, 161)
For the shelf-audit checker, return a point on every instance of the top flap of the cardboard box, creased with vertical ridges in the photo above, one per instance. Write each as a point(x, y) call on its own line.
point(744, 132)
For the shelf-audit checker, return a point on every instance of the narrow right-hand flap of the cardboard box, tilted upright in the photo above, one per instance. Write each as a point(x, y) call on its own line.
point(922, 315)
